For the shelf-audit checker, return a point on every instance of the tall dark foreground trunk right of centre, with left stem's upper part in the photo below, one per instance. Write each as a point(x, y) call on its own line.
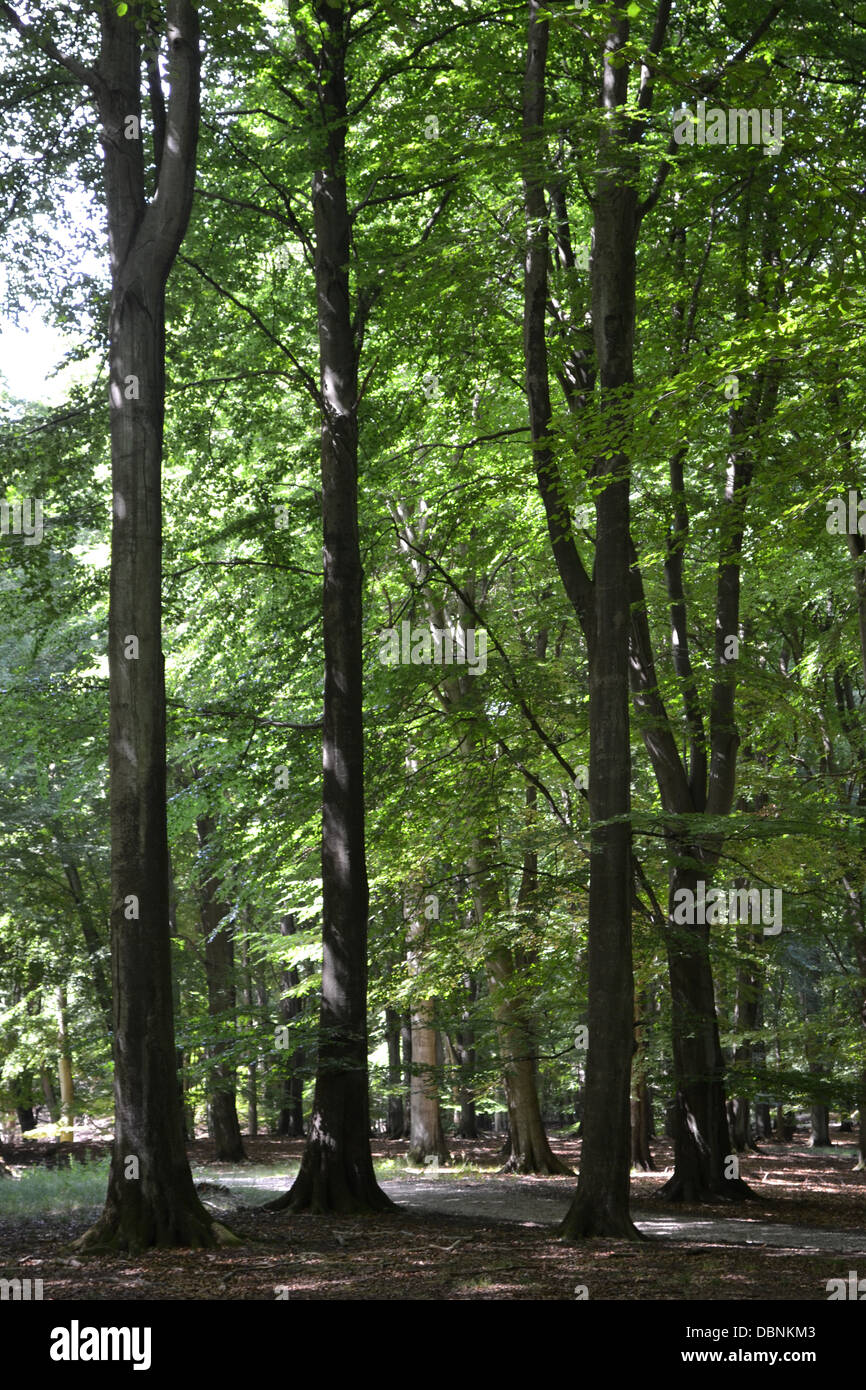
point(601, 1203)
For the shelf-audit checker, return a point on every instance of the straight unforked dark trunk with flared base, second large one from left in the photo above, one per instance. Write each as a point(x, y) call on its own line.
point(337, 1168)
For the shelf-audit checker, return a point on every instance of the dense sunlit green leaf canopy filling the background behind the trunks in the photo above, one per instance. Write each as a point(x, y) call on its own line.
point(750, 266)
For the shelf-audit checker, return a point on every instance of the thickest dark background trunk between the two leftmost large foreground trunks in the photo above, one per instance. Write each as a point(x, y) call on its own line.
point(222, 1007)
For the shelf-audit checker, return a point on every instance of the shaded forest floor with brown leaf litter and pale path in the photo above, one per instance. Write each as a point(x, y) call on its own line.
point(461, 1234)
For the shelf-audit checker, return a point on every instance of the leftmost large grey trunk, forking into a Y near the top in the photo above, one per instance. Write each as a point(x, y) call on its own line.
point(151, 1200)
